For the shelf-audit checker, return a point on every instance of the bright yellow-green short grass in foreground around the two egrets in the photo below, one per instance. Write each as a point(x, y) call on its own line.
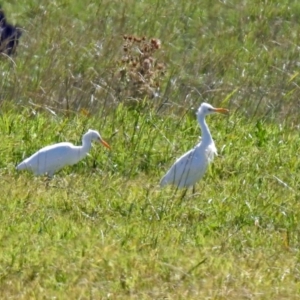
point(105, 225)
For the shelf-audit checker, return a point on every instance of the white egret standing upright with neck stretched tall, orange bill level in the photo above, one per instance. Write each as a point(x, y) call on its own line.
point(191, 166)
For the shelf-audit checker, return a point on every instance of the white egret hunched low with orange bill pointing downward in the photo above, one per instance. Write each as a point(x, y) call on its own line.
point(52, 158)
